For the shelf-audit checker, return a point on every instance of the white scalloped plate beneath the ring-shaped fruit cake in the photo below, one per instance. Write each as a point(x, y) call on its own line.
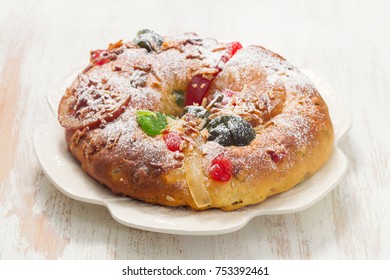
point(65, 173)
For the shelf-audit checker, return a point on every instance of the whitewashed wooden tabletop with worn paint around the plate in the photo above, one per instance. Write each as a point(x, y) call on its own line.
point(346, 42)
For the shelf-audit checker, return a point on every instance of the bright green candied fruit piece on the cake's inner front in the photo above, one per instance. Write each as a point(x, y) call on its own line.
point(152, 123)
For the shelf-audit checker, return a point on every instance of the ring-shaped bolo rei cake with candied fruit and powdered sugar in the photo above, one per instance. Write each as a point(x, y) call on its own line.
point(190, 121)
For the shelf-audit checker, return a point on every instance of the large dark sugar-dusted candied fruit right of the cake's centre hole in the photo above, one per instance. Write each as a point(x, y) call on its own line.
point(230, 131)
